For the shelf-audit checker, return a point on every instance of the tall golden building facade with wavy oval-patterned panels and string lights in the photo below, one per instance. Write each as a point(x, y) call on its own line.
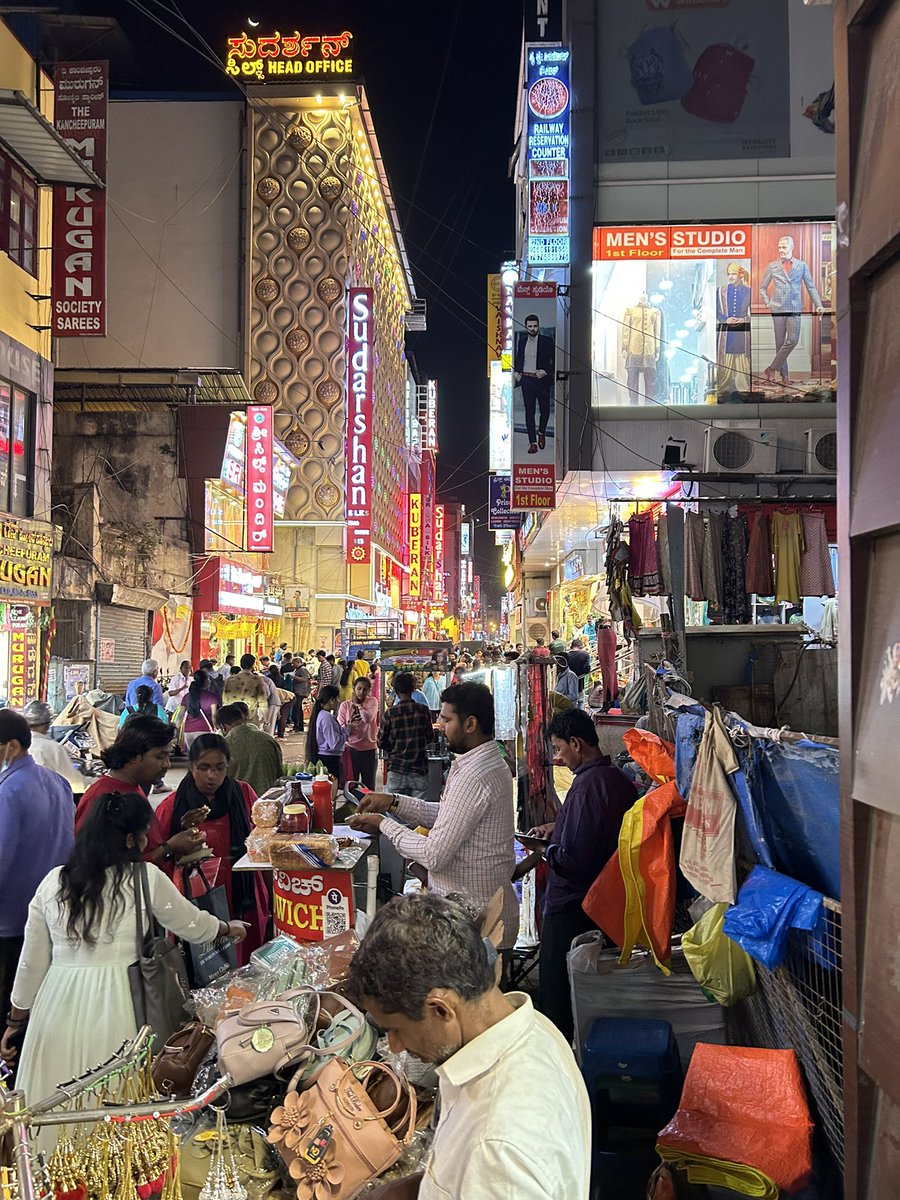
point(322, 221)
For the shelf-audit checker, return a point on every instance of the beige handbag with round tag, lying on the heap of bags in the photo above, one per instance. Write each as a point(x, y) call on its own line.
point(265, 1039)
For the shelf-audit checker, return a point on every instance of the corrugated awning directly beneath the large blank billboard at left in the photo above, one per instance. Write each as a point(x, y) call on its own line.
point(140, 391)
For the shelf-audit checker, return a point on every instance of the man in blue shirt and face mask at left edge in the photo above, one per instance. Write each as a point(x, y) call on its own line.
point(37, 835)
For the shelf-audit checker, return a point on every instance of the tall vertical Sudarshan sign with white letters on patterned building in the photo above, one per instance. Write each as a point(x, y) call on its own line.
point(361, 401)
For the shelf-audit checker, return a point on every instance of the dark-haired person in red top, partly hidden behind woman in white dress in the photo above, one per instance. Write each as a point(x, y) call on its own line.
point(140, 757)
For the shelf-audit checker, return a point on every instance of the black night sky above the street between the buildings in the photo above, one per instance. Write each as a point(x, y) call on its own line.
point(442, 87)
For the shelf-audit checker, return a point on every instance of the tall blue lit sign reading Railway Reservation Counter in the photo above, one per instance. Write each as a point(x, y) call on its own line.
point(548, 155)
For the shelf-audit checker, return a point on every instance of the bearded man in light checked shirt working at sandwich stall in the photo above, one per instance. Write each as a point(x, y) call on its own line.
point(470, 849)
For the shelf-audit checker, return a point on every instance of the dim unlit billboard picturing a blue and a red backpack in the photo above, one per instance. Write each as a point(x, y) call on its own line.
point(707, 80)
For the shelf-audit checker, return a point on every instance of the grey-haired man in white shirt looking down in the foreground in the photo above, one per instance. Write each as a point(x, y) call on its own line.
point(515, 1119)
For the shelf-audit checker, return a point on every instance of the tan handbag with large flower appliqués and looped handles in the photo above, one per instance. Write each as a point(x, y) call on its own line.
point(349, 1127)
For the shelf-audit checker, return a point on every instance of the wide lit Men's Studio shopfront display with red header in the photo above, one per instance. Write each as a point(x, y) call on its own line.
point(692, 315)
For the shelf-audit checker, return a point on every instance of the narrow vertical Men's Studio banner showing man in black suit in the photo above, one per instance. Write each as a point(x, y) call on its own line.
point(535, 320)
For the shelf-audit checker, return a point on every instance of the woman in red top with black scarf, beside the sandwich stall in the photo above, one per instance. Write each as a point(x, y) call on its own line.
point(220, 807)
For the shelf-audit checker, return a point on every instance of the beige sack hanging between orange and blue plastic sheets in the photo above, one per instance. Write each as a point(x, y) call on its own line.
point(709, 844)
